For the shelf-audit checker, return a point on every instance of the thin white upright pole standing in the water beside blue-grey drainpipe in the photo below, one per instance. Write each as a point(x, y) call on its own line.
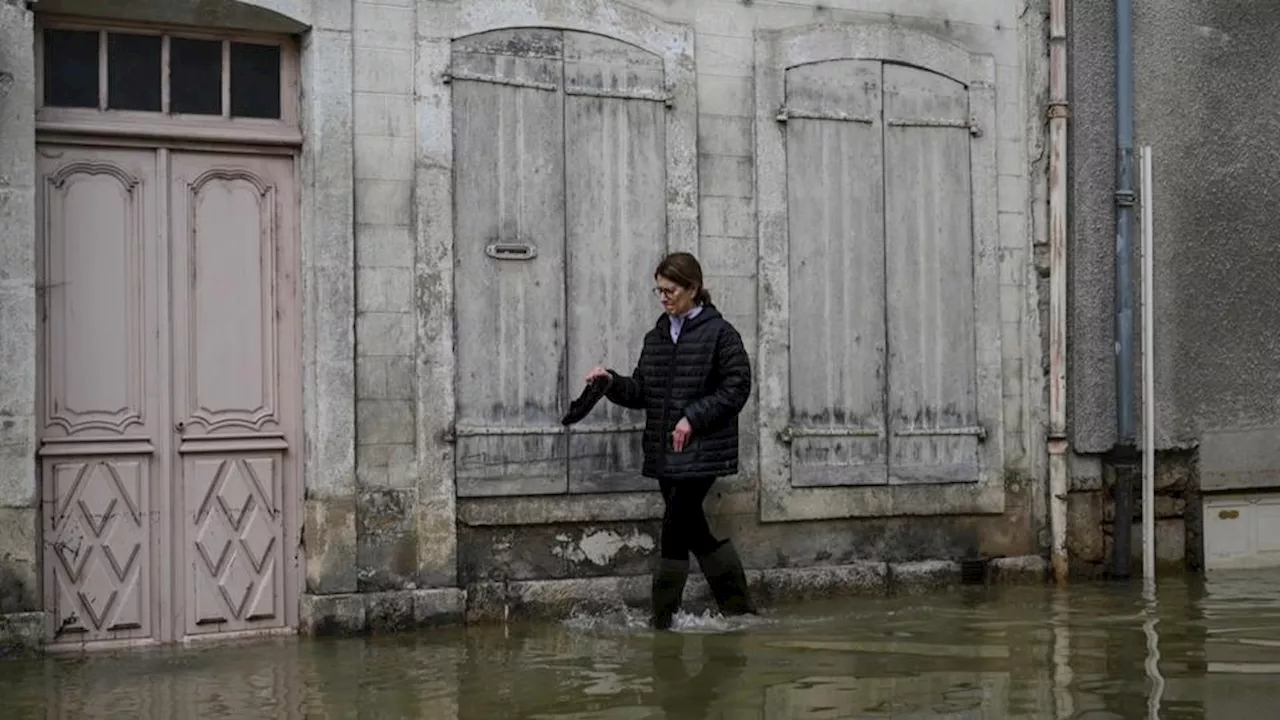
point(1149, 385)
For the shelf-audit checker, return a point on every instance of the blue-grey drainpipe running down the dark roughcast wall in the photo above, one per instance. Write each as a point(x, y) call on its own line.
point(1124, 199)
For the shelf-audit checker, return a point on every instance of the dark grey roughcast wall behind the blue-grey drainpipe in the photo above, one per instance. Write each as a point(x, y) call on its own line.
point(1208, 103)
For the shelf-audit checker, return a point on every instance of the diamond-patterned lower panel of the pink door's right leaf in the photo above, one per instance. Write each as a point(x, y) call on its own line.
point(237, 530)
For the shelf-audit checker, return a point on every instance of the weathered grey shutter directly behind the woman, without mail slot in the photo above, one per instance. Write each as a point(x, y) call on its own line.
point(616, 222)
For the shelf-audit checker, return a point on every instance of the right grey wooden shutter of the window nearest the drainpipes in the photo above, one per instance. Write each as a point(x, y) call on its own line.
point(934, 411)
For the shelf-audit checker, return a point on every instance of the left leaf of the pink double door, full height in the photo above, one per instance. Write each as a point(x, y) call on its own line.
point(99, 425)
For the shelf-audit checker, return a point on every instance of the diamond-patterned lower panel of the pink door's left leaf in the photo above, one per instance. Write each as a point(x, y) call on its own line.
point(99, 531)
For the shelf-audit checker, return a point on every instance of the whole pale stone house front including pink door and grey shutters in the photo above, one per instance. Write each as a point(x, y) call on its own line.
point(341, 266)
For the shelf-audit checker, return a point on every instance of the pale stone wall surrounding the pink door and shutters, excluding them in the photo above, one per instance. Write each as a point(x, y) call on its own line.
point(382, 521)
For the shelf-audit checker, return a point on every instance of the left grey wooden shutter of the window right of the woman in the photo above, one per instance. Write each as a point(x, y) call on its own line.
point(836, 230)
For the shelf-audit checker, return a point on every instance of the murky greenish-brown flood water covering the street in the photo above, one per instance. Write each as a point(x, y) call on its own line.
point(1206, 649)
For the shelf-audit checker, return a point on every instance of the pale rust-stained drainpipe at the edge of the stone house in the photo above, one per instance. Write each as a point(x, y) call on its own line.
point(1058, 240)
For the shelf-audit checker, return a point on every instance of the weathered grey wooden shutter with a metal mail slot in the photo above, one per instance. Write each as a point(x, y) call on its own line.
point(510, 256)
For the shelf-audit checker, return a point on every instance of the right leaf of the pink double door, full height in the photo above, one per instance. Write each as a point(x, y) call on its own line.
point(235, 350)
